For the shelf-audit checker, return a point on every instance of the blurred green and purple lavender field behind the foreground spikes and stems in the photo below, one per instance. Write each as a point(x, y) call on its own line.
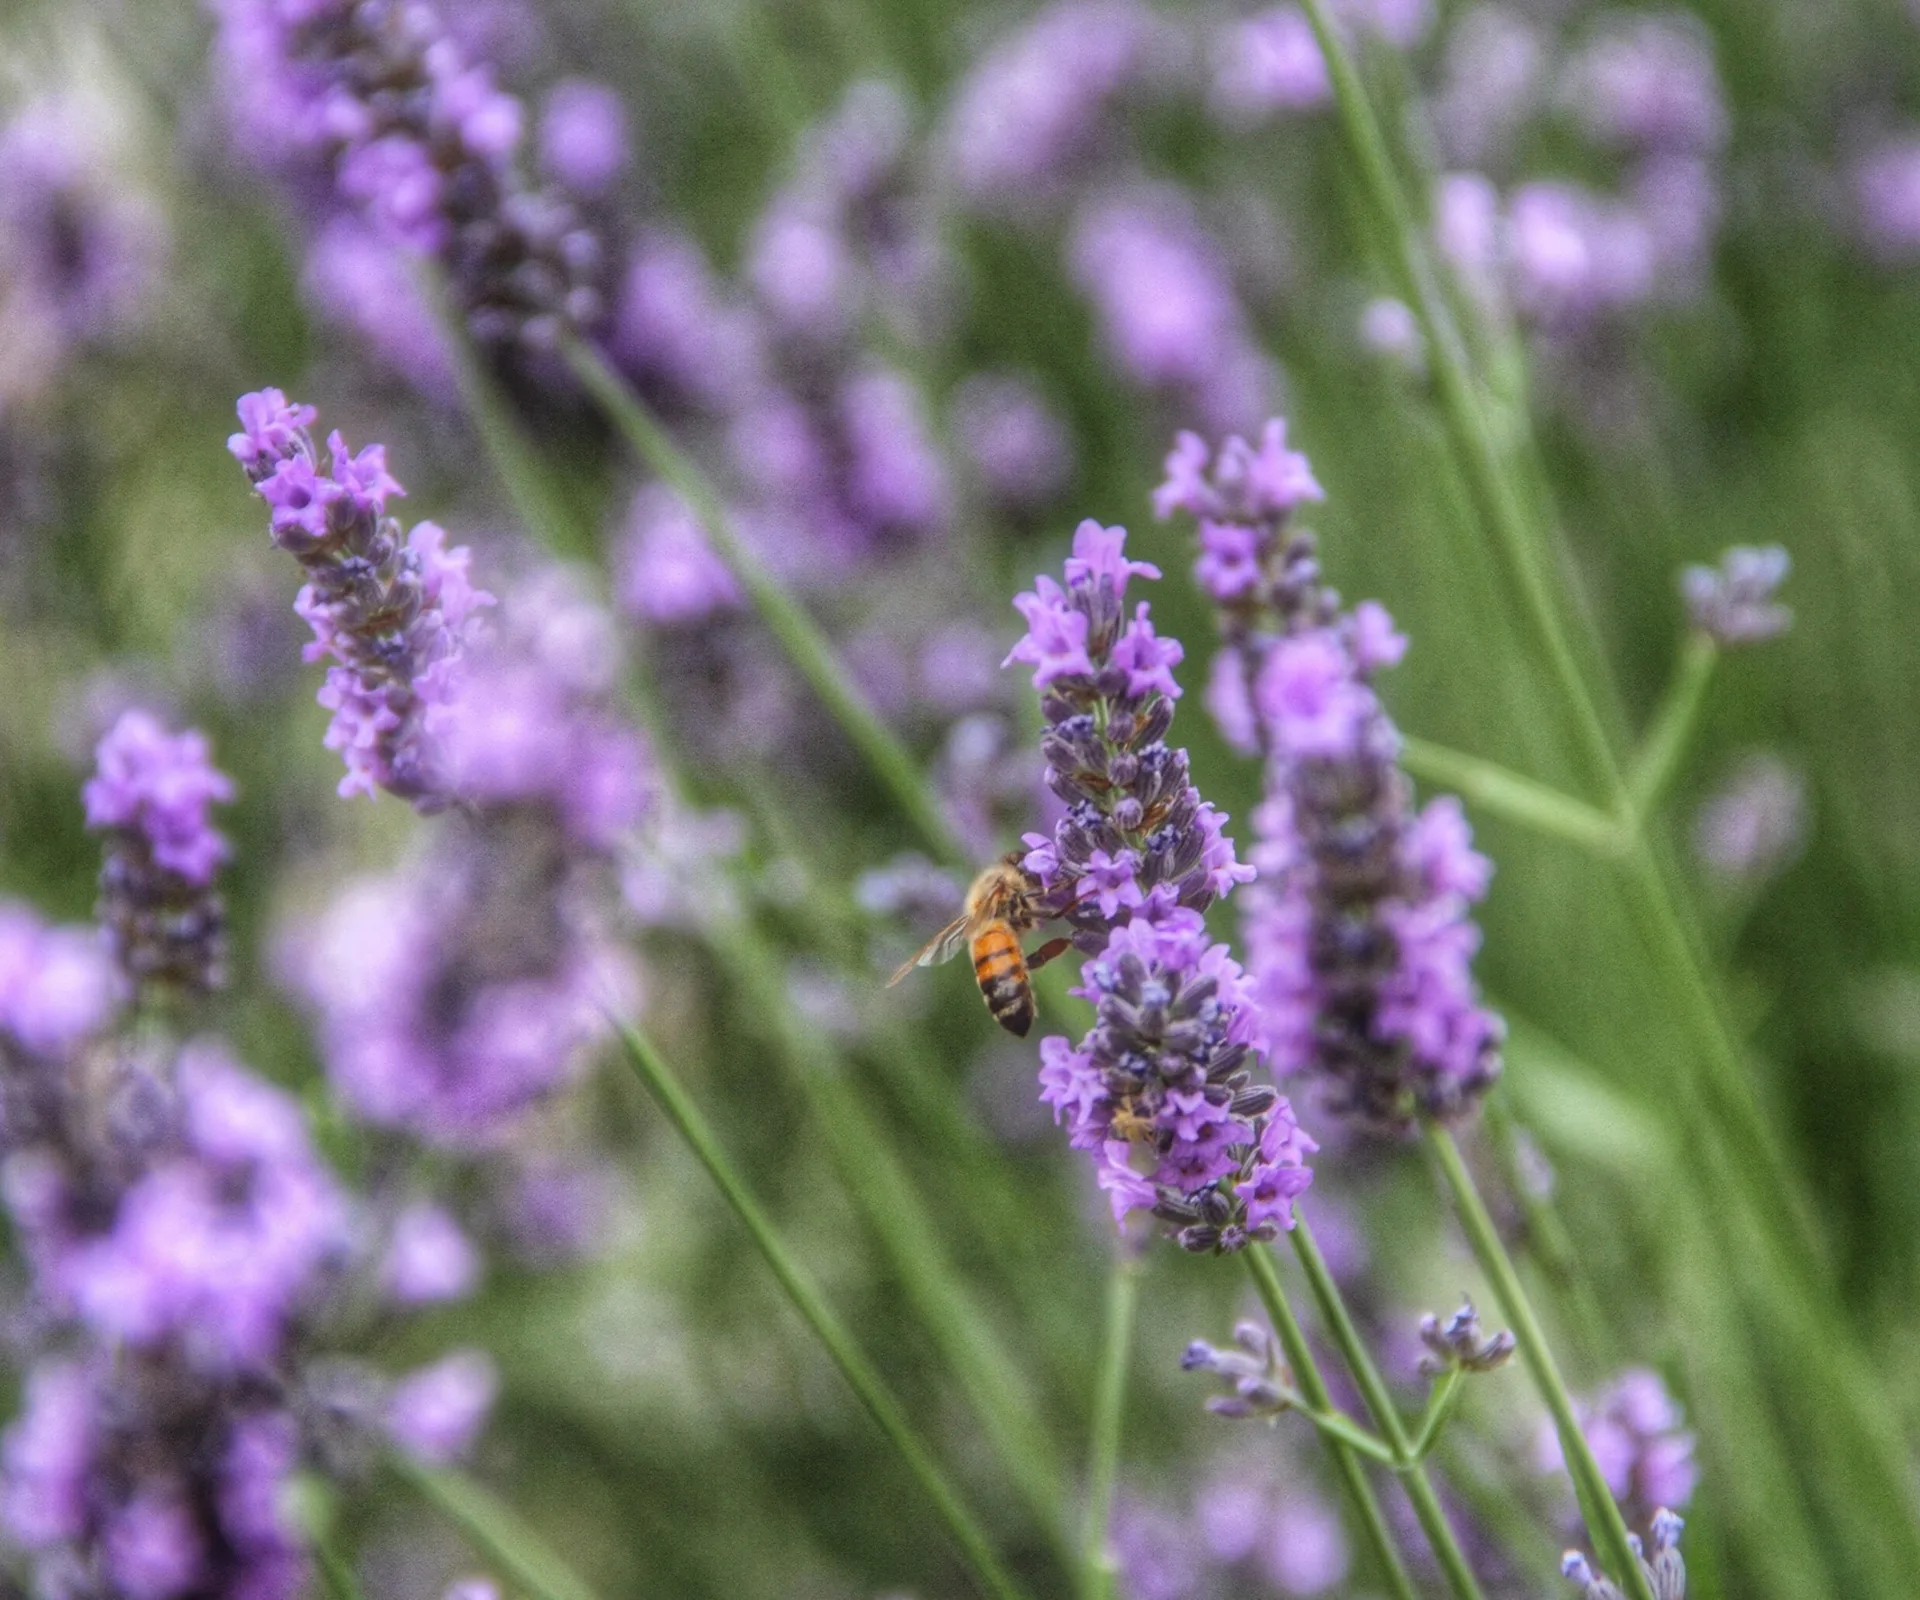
point(921, 285)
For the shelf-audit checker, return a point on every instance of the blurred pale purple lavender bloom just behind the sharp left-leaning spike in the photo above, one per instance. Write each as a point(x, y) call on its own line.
point(468, 988)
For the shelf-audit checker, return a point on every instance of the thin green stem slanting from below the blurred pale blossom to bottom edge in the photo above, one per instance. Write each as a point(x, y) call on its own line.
point(834, 1338)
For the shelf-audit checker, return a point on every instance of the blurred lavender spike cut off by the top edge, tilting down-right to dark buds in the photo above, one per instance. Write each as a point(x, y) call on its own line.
point(423, 143)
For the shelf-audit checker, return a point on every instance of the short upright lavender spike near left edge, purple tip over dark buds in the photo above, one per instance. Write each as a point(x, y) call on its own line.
point(151, 792)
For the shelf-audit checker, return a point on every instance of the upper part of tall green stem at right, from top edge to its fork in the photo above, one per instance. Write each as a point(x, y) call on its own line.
point(1462, 410)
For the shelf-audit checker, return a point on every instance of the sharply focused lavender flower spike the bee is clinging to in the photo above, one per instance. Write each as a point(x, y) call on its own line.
point(1161, 1090)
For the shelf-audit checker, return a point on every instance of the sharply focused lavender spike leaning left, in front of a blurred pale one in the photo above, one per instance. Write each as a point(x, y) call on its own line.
point(395, 610)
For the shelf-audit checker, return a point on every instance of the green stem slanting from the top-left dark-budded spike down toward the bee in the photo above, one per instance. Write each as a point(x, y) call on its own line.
point(798, 633)
